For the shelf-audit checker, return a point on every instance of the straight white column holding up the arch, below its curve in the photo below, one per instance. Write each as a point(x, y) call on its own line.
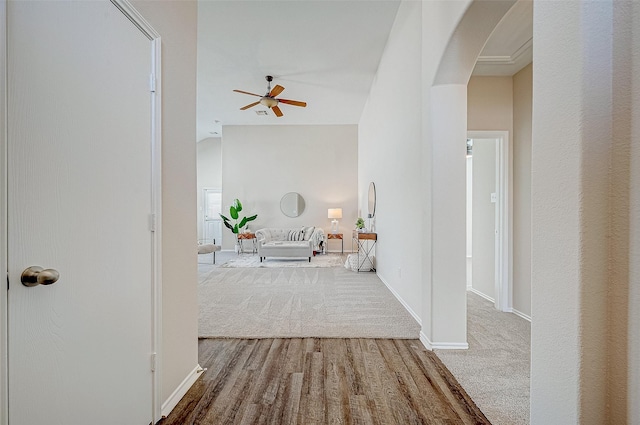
point(448, 310)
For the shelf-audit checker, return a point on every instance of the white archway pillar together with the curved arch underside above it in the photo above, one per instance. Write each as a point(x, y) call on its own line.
point(446, 301)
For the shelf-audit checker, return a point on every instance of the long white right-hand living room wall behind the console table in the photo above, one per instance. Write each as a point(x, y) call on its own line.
point(390, 156)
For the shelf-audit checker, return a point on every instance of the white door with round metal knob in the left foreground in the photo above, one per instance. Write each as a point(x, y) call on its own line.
point(79, 202)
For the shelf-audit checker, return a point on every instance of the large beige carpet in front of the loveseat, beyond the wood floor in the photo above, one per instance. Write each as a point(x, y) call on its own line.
point(298, 302)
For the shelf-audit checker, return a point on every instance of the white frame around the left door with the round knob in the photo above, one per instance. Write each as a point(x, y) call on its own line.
point(156, 225)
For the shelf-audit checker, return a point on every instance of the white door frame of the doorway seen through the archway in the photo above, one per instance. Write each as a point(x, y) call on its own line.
point(504, 217)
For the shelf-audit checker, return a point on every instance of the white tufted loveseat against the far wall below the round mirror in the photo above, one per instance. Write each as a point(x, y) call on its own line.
point(291, 243)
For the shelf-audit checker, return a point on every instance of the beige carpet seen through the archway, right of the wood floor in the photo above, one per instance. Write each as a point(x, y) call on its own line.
point(494, 371)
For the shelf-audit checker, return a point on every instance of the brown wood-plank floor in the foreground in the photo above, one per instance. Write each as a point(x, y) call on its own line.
point(322, 381)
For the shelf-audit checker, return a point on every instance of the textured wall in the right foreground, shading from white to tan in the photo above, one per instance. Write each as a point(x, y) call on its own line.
point(585, 213)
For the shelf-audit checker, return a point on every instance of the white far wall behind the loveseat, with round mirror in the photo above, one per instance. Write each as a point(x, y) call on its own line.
point(262, 163)
